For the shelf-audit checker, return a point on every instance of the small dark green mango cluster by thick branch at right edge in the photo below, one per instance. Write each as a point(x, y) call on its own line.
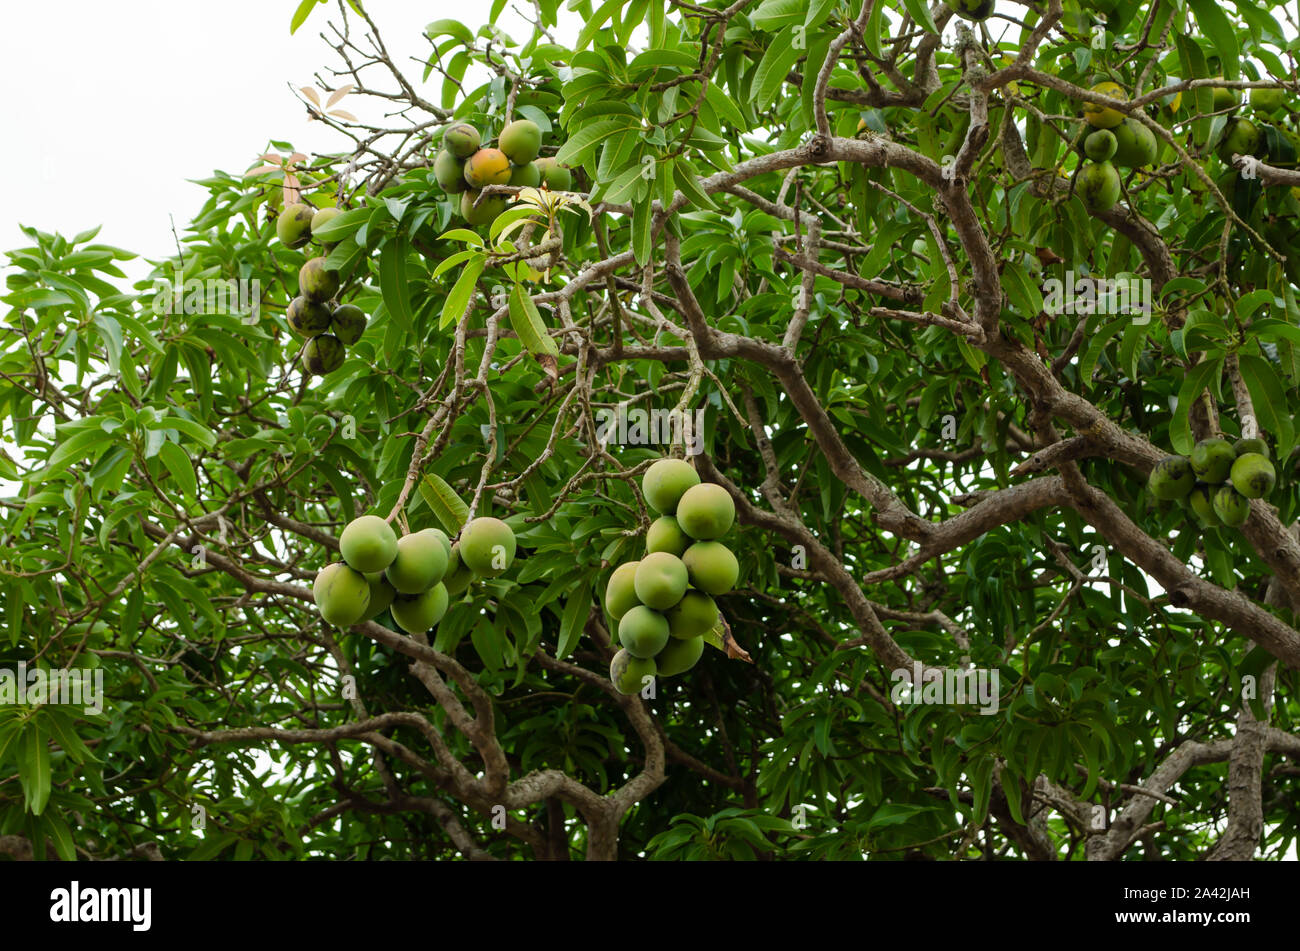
point(1217, 481)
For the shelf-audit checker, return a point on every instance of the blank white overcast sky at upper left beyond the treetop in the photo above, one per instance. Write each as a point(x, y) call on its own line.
point(111, 108)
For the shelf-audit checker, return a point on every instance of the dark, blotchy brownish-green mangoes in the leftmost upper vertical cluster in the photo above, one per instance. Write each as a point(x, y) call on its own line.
point(331, 328)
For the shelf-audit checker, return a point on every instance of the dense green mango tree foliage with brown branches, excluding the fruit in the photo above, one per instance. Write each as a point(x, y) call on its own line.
point(833, 233)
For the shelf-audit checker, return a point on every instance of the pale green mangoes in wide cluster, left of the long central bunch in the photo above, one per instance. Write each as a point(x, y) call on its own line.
point(413, 577)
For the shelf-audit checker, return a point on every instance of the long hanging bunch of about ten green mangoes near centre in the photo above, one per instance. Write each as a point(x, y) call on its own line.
point(665, 602)
